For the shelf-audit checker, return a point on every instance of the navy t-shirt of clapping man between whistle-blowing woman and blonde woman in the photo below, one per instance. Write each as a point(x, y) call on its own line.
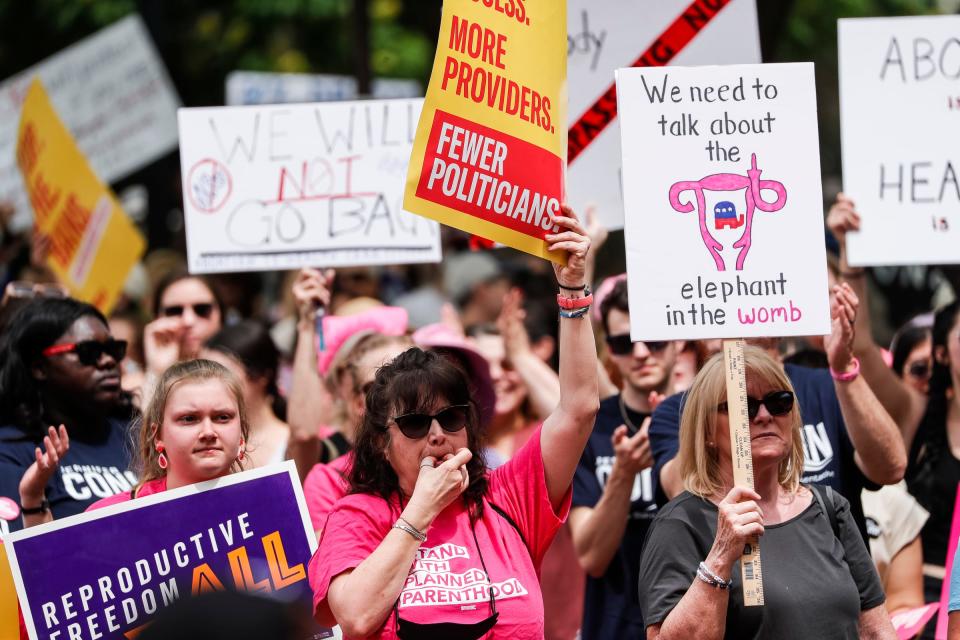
point(611, 603)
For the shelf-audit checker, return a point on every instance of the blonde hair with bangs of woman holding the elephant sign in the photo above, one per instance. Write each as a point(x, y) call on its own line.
point(699, 464)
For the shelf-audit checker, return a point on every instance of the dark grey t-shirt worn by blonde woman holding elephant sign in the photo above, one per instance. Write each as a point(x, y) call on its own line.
point(815, 583)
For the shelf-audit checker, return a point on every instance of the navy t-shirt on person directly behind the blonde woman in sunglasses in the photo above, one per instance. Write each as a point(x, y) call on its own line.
point(827, 449)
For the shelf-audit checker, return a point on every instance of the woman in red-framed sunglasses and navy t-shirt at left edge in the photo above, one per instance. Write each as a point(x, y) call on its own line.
point(61, 374)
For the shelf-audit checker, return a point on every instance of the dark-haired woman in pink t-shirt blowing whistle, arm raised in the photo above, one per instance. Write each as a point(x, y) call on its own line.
point(429, 544)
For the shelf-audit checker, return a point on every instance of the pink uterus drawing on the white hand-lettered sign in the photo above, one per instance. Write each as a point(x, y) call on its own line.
point(754, 187)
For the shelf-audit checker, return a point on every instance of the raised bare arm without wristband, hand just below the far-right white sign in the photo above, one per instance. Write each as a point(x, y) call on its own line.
point(902, 403)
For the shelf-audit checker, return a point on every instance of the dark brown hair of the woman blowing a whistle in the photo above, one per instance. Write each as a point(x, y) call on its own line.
point(412, 382)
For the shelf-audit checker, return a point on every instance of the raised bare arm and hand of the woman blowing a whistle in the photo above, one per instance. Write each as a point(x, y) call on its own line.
point(566, 430)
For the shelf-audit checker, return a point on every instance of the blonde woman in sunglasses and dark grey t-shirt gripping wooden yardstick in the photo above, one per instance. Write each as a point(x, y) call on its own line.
point(818, 579)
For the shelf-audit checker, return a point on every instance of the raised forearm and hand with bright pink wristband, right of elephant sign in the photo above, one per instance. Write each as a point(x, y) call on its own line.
point(880, 452)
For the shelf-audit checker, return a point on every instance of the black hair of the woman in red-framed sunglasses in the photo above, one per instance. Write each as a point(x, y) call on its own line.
point(32, 329)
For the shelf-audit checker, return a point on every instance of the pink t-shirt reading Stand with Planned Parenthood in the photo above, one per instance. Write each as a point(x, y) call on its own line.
point(446, 582)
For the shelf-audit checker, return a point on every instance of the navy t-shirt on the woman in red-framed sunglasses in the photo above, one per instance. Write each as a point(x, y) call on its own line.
point(96, 466)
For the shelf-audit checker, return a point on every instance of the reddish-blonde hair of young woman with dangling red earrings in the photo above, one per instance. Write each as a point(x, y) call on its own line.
point(146, 457)
